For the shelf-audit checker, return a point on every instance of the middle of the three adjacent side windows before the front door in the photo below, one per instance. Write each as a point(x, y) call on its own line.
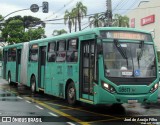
point(61, 53)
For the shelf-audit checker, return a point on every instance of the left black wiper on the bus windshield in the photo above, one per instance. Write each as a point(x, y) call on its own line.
point(121, 50)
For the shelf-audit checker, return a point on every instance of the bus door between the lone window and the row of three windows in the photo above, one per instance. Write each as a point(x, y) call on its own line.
point(41, 66)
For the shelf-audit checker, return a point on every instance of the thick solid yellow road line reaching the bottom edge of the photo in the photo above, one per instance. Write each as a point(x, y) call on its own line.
point(59, 112)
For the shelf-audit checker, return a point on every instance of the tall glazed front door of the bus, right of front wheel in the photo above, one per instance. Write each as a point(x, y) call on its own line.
point(87, 69)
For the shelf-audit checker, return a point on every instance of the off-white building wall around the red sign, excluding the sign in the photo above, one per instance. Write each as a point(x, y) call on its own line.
point(146, 9)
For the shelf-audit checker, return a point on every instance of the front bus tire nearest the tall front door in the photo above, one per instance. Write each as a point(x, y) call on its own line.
point(71, 94)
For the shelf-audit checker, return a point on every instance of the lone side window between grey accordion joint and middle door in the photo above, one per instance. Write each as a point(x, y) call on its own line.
point(33, 54)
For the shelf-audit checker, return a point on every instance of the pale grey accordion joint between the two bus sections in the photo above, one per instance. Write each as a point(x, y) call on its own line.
point(24, 63)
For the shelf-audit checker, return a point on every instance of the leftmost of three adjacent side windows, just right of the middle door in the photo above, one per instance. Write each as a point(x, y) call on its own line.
point(51, 52)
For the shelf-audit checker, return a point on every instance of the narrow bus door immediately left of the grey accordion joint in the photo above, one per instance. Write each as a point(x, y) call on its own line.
point(18, 65)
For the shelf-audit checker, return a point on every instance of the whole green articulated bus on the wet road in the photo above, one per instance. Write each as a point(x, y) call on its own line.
point(103, 65)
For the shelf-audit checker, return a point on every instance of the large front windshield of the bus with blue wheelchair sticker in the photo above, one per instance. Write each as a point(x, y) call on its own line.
point(126, 59)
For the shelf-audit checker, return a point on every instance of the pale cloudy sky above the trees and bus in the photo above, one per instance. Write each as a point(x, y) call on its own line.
point(58, 7)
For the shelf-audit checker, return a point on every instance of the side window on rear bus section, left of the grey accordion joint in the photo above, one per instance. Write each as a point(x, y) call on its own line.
point(12, 54)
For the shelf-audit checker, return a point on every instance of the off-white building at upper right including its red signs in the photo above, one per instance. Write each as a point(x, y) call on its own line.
point(147, 17)
